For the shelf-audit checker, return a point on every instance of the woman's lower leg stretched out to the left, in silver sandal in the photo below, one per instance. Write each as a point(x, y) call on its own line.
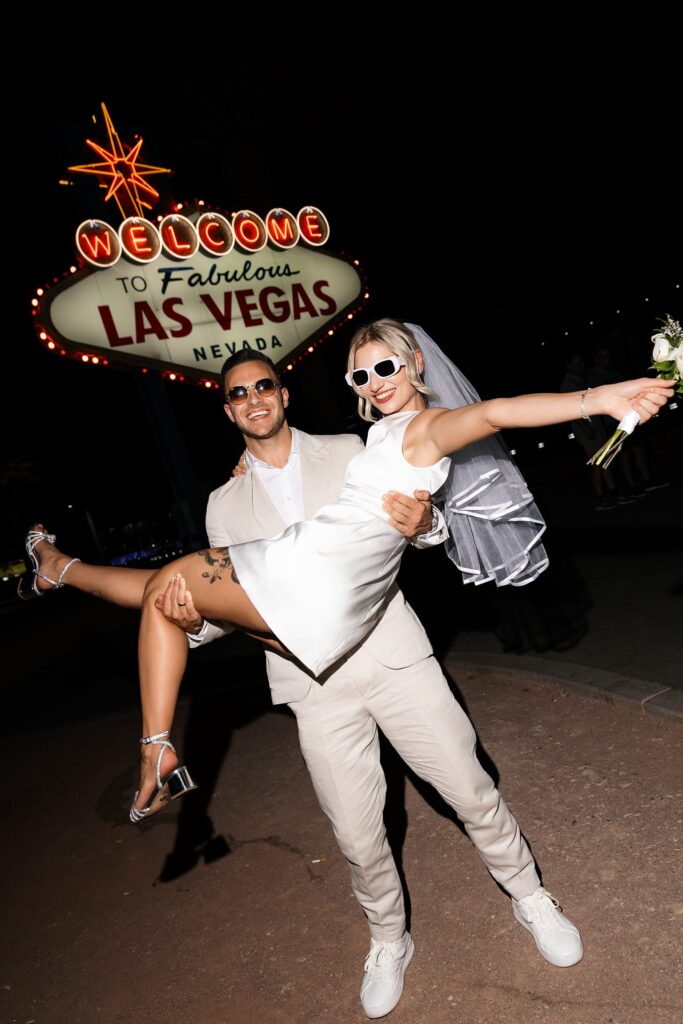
point(117, 585)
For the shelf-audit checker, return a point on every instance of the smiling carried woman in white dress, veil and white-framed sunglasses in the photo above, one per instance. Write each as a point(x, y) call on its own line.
point(318, 589)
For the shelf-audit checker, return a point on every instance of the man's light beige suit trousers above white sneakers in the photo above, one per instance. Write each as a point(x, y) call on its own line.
point(418, 714)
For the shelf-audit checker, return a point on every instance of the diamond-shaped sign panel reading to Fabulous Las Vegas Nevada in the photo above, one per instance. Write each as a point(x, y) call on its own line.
point(191, 316)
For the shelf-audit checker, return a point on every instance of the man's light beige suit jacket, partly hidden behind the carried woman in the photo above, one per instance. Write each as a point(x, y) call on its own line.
point(241, 510)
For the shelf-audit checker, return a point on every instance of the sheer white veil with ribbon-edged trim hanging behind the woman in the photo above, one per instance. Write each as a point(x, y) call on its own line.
point(495, 526)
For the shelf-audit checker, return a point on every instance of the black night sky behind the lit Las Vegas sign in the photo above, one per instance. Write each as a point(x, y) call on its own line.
point(502, 179)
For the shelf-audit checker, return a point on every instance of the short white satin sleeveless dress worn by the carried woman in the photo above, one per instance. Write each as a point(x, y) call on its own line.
point(321, 584)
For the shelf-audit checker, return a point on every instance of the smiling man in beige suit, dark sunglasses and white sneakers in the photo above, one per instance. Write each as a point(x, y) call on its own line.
point(288, 476)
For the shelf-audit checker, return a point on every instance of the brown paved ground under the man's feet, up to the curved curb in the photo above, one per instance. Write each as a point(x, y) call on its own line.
point(270, 931)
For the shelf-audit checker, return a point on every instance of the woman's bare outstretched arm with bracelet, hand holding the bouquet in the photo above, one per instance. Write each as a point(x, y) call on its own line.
point(440, 432)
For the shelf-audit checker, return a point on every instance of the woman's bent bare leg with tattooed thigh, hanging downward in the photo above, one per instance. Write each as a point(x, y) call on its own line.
point(163, 647)
